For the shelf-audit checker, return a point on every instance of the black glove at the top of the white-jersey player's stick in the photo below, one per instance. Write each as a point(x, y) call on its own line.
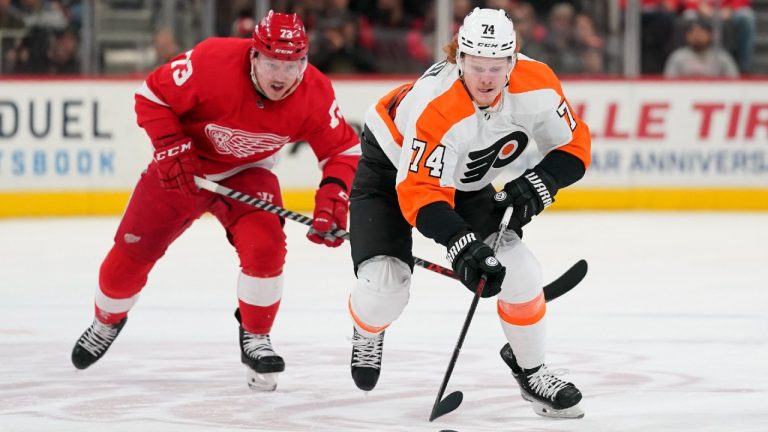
point(528, 195)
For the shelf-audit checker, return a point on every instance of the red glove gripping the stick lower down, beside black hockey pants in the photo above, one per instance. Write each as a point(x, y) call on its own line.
point(331, 207)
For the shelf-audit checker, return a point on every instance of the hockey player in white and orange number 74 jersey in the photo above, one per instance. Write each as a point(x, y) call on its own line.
point(430, 152)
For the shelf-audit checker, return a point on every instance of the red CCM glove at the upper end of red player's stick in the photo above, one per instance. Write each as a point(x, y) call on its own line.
point(177, 166)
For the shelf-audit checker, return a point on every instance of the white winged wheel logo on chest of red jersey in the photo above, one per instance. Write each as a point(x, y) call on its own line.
point(243, 144)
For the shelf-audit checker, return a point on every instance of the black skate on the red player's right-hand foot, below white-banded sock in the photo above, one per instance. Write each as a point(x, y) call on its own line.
point(261, 360)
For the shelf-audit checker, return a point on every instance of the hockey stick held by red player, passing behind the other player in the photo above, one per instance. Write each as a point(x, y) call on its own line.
point(558, 287)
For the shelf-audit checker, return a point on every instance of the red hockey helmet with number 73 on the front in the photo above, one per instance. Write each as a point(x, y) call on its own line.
point(281, 36)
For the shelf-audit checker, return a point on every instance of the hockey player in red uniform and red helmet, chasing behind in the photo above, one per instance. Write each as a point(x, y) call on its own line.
point(223, 110)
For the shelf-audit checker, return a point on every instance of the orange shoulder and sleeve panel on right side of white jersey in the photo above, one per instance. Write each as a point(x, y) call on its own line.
point(530, 75)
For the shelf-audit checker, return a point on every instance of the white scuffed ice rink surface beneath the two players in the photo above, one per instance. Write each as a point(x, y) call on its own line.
point(668, 332)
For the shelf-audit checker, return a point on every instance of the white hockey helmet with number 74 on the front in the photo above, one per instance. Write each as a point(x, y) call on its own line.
point(487, 33)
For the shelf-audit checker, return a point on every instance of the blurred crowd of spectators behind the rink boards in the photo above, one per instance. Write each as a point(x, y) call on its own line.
point(678, 37)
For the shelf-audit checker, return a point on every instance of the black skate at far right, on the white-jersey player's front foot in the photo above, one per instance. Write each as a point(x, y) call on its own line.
point(549, 395)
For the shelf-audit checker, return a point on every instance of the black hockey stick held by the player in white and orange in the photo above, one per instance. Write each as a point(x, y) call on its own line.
point(453, 400)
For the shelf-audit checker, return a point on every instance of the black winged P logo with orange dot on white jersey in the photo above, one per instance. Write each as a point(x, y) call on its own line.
point(499, 154)
